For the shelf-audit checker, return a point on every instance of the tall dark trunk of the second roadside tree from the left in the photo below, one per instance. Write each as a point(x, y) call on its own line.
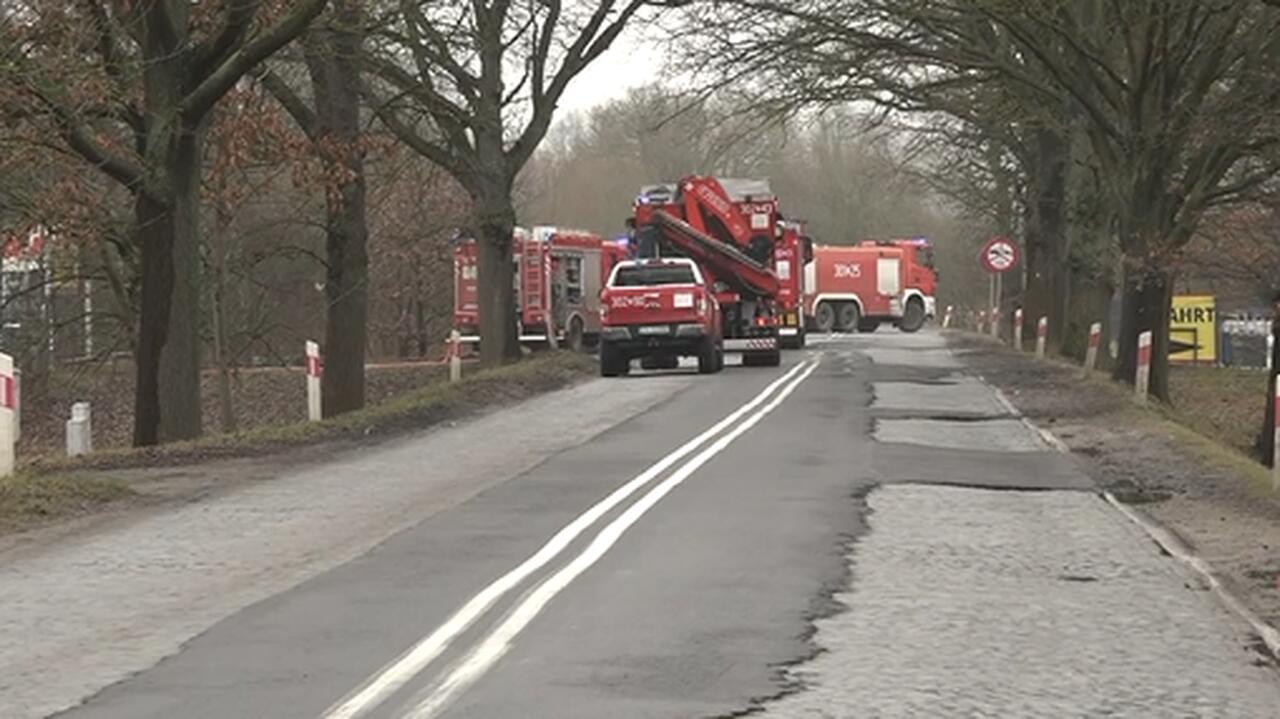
point(336, 84)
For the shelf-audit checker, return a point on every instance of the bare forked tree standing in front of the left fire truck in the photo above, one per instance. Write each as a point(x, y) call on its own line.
point(473, 88)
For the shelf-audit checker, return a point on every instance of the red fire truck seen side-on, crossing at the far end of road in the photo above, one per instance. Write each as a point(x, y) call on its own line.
point(861, 287)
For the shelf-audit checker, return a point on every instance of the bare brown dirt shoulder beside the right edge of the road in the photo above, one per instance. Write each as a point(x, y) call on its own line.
point(1214, 498)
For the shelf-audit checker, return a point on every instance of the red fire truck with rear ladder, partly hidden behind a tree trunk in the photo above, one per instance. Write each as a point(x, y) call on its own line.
point(559, 278)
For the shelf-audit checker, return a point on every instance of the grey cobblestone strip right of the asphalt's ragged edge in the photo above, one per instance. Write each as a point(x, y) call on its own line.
point(1081, 613)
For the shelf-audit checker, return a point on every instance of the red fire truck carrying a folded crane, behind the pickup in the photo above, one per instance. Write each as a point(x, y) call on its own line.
point(749, 257)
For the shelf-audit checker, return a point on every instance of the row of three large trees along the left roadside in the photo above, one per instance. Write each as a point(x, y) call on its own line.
point(131, 90)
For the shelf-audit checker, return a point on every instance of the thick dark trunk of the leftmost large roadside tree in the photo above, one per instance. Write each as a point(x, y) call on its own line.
point(167, 406)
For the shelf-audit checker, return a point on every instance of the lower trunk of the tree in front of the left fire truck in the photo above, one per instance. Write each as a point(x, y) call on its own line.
point(500, 342)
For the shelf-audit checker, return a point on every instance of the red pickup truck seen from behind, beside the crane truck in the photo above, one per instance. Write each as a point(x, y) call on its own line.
point(660, 312)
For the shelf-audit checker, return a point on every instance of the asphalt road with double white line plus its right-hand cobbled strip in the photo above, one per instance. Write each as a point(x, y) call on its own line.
point(866, 501)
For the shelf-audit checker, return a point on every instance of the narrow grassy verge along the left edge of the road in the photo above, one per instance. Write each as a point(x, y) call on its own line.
point(418, 410)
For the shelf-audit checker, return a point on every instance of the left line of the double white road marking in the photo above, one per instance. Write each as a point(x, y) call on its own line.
point(396, 675)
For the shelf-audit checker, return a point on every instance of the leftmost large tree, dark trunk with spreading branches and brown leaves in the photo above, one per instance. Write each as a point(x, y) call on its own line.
point(129, 88)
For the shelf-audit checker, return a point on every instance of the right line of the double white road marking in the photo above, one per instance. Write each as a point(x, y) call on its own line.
point(499, 642)
